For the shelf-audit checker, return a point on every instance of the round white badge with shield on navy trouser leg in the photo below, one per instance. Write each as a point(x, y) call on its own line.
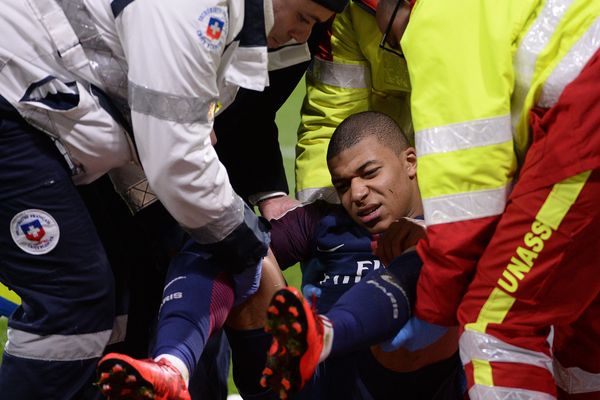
point(34, 231)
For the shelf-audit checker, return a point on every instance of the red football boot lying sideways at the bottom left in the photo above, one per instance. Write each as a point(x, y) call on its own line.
point(123, 377)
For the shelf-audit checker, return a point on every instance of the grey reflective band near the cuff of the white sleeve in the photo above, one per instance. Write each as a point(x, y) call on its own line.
point(217, 230)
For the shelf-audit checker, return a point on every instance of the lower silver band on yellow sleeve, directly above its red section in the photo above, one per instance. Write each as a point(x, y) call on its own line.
point(465, 206)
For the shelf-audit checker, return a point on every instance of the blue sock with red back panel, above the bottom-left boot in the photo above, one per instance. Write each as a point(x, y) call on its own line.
point(196, 301)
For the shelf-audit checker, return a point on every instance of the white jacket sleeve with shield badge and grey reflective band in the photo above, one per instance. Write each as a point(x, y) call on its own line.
point(173, 50)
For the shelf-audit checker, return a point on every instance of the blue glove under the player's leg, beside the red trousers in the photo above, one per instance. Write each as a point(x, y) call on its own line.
point(415, 335)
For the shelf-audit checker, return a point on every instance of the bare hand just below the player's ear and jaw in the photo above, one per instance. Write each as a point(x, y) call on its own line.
point(401, 236)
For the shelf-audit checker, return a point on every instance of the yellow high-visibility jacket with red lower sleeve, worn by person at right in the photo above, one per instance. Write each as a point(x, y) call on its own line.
point(476, 69)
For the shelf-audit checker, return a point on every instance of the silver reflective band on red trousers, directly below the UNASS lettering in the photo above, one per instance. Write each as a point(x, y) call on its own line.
point(481, 346)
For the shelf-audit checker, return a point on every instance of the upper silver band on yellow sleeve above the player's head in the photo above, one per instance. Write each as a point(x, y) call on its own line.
point(349, 76)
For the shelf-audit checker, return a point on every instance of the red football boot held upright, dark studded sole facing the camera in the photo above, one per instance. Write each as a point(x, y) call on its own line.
point(297, 342)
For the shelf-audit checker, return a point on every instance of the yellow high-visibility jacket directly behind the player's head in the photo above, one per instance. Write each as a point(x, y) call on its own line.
point(350, 74)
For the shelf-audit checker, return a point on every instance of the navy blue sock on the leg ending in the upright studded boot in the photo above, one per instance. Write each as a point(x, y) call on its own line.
point(377, 307)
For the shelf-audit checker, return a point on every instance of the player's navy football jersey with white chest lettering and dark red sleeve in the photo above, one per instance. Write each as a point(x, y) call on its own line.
point(335, 251)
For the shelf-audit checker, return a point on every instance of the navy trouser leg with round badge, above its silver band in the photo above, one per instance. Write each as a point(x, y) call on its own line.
point(51, 255)
